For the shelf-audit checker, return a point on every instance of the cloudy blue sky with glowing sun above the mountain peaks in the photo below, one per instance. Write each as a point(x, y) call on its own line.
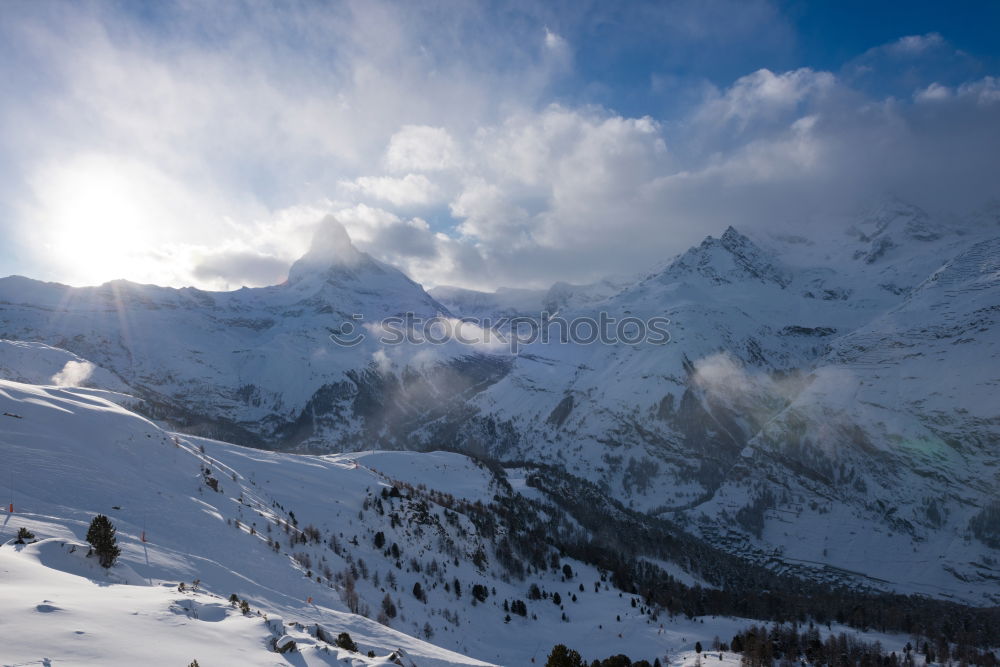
point(478, 144)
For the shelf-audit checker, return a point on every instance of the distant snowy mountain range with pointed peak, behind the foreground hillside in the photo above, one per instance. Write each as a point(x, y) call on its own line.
point(826, 406)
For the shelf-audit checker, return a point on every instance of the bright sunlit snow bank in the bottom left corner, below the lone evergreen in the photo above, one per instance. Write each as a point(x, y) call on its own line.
point(58, 610)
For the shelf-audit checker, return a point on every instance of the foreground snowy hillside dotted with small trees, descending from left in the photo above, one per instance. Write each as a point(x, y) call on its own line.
point(388, 547)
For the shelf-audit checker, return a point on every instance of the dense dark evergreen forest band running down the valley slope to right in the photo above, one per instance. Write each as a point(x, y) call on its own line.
point(621, 542)
